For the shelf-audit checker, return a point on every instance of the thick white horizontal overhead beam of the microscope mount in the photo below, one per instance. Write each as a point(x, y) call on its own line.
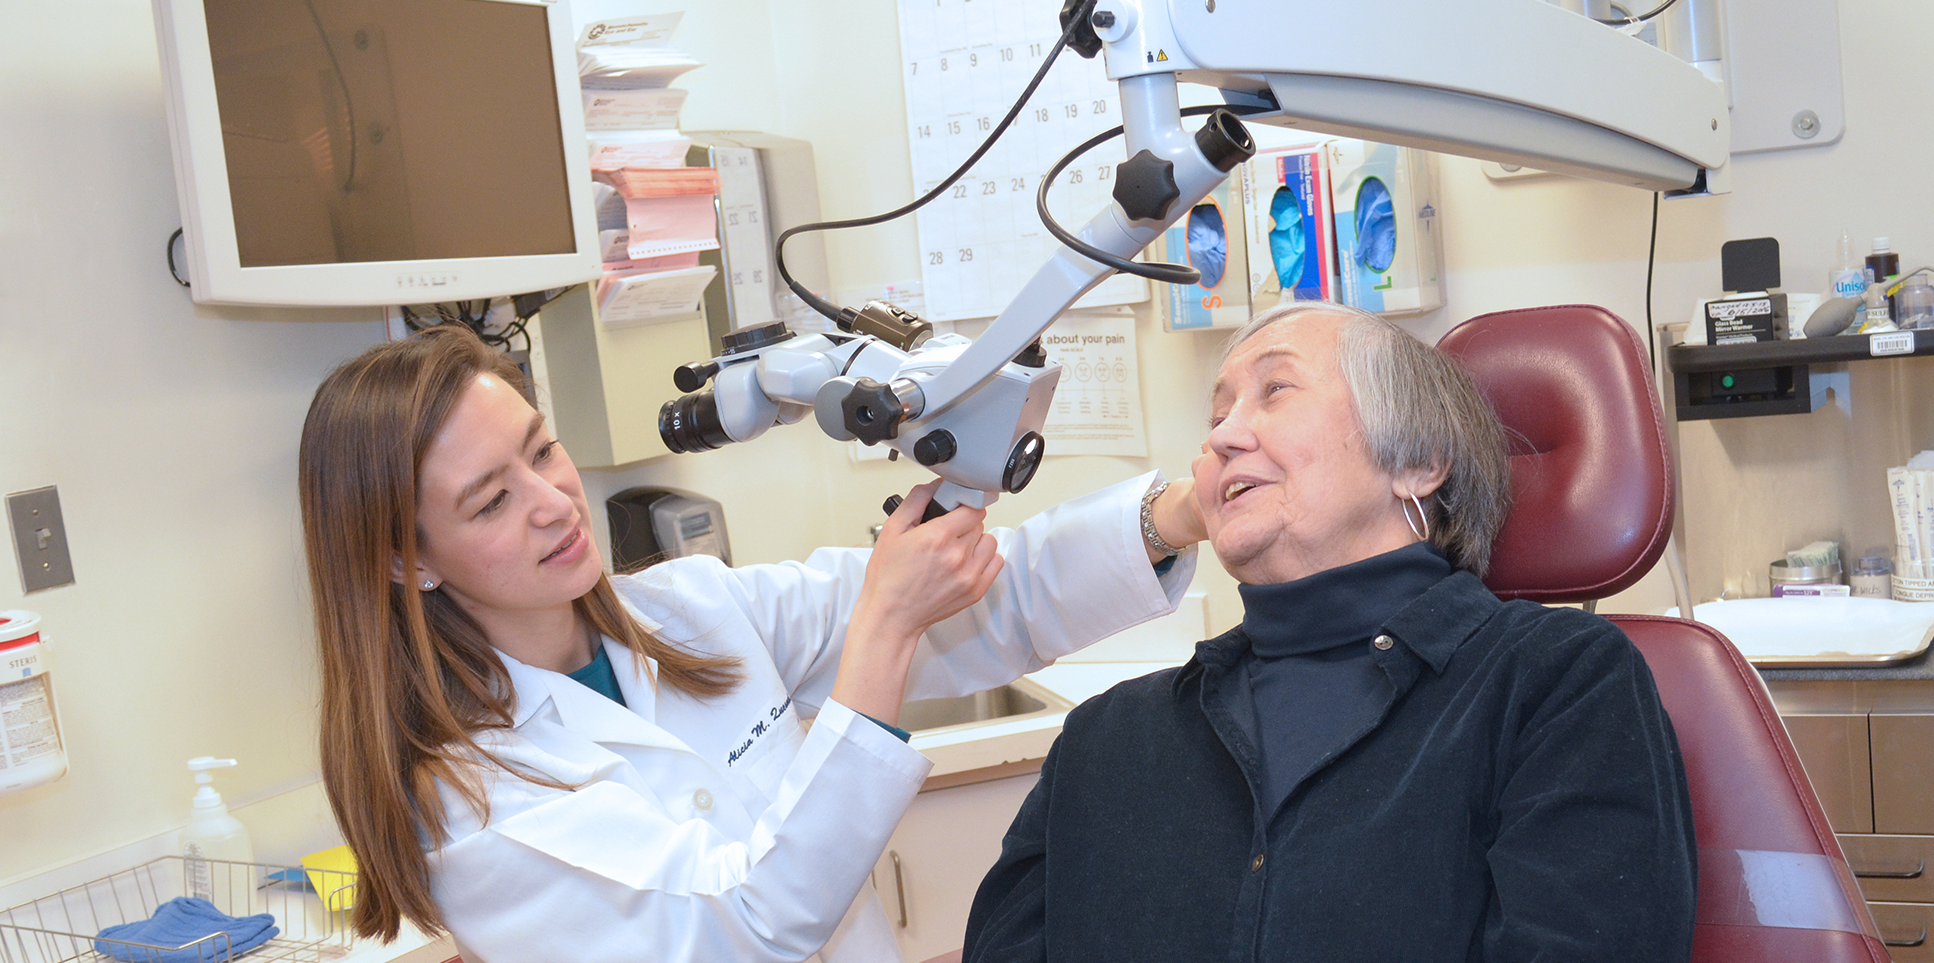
point(1504, 80)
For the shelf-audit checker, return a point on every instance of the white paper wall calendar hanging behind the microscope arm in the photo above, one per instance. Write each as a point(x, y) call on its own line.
point(964, 65)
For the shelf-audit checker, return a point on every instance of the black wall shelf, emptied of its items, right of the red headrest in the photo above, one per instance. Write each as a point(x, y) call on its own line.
point(1773, 376)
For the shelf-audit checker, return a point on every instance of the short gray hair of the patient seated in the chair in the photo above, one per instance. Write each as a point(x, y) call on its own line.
point(1419, 411)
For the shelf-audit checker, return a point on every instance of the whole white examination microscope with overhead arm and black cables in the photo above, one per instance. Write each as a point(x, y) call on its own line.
point(1521, 82)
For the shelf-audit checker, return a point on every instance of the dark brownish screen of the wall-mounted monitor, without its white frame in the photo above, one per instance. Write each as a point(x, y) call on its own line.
point(390, 131)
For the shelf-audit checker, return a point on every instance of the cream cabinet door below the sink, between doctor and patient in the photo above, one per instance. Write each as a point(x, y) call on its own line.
point(937, 860)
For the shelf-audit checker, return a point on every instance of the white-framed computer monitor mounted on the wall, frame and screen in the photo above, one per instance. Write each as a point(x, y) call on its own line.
point(378, 152)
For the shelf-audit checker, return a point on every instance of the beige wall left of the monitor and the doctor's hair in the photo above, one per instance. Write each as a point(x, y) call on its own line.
point(171, 432)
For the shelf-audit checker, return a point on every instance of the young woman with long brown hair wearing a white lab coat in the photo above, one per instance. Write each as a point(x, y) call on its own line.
point(560, 765)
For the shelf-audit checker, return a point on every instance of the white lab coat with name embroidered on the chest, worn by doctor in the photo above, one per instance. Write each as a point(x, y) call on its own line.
point(726, 829)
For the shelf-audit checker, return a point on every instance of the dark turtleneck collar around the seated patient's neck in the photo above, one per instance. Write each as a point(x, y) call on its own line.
point(1337, 606)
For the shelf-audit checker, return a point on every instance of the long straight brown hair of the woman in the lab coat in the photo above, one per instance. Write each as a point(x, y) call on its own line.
point(409, 676)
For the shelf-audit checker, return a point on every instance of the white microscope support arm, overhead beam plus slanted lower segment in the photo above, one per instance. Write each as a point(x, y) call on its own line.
point(1502, 80)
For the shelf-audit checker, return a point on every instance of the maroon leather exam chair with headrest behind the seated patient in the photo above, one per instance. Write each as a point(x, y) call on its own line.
point(1595, 504)
